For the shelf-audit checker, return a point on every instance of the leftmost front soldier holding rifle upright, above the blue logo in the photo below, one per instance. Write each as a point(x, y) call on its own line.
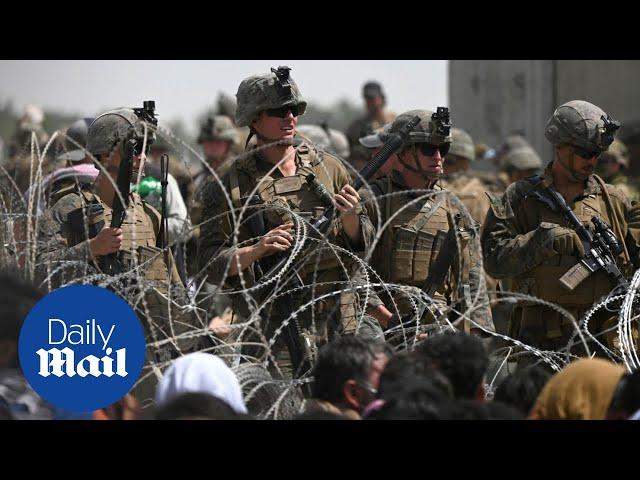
point(73, 243)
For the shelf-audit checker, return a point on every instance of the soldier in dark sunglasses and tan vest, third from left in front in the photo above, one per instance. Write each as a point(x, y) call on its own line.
point(409, 245)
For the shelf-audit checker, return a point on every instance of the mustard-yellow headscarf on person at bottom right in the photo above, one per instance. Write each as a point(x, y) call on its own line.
point(581, 391)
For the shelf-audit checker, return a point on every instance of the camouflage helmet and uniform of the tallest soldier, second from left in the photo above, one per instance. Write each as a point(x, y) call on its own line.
point(318, 266)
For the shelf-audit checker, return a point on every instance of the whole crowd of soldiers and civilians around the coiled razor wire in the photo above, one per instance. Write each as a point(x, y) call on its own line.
point(303, 273)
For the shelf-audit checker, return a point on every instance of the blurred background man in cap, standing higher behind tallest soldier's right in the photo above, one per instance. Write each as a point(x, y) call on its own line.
point(375, 118)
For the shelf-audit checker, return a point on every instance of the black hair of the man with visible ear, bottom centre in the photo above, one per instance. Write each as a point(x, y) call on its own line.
point(345, 358)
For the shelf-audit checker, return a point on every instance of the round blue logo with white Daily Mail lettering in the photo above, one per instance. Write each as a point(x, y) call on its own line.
point(81, 348)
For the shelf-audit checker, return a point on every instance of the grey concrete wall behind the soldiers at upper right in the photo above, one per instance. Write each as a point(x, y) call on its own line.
point(493, 98)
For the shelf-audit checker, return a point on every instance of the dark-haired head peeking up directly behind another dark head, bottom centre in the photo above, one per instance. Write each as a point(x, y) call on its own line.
point(406, 366)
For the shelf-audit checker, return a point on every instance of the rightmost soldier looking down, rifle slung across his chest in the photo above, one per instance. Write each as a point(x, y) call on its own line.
point(532, 245)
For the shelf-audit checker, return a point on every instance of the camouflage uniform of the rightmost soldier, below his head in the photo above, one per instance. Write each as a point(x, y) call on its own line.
point(516, 246)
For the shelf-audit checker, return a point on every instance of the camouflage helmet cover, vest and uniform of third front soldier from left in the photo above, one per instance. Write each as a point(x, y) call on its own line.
point(411, 241)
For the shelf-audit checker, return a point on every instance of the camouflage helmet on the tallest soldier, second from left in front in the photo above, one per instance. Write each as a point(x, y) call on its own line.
point(265, 91)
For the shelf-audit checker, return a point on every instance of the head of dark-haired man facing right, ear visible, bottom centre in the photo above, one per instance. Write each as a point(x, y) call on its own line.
point(347, 373)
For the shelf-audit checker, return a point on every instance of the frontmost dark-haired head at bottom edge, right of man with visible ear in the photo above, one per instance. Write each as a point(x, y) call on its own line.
point(416, 398)
